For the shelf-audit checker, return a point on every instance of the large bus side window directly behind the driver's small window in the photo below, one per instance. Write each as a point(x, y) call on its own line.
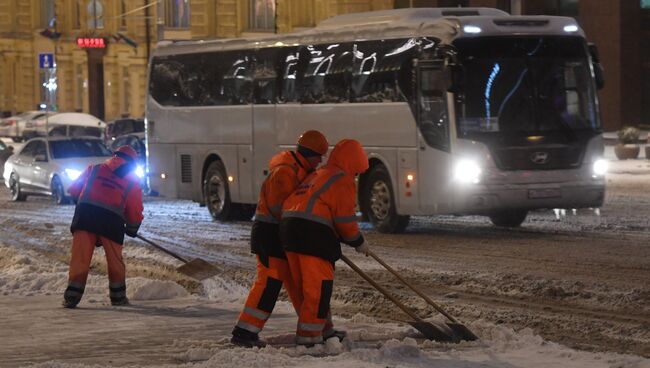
point(376, 69)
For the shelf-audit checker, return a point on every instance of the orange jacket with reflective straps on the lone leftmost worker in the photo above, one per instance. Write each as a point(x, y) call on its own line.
point(109, 200)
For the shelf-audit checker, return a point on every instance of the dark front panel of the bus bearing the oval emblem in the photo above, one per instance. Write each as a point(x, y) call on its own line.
point(538, 158)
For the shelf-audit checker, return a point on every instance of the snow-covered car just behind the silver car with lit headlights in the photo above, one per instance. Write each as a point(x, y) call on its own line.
point(69, 124)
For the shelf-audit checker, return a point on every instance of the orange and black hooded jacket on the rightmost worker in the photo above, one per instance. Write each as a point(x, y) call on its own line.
point(321, 212)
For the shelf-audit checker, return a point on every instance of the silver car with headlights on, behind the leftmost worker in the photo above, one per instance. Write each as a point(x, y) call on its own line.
point(49, 165)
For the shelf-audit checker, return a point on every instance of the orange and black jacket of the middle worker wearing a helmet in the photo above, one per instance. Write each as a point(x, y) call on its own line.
point(286, 170)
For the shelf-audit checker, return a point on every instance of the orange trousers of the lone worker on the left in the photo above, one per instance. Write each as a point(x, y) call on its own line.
point(83, 246)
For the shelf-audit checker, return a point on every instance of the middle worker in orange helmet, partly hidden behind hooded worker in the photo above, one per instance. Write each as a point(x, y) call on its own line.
point(286, 170)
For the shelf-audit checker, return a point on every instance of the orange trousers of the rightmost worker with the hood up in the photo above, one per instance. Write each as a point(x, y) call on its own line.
point(314, 279)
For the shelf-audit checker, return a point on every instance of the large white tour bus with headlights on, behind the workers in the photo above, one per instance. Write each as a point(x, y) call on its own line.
point(461, 111)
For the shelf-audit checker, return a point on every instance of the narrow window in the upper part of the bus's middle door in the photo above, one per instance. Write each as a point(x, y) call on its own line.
point(265, 76)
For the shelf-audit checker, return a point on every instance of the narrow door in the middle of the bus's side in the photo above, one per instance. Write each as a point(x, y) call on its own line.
point(265, 85)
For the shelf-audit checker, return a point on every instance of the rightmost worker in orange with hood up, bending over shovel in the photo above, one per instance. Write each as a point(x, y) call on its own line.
point(316, 217)
